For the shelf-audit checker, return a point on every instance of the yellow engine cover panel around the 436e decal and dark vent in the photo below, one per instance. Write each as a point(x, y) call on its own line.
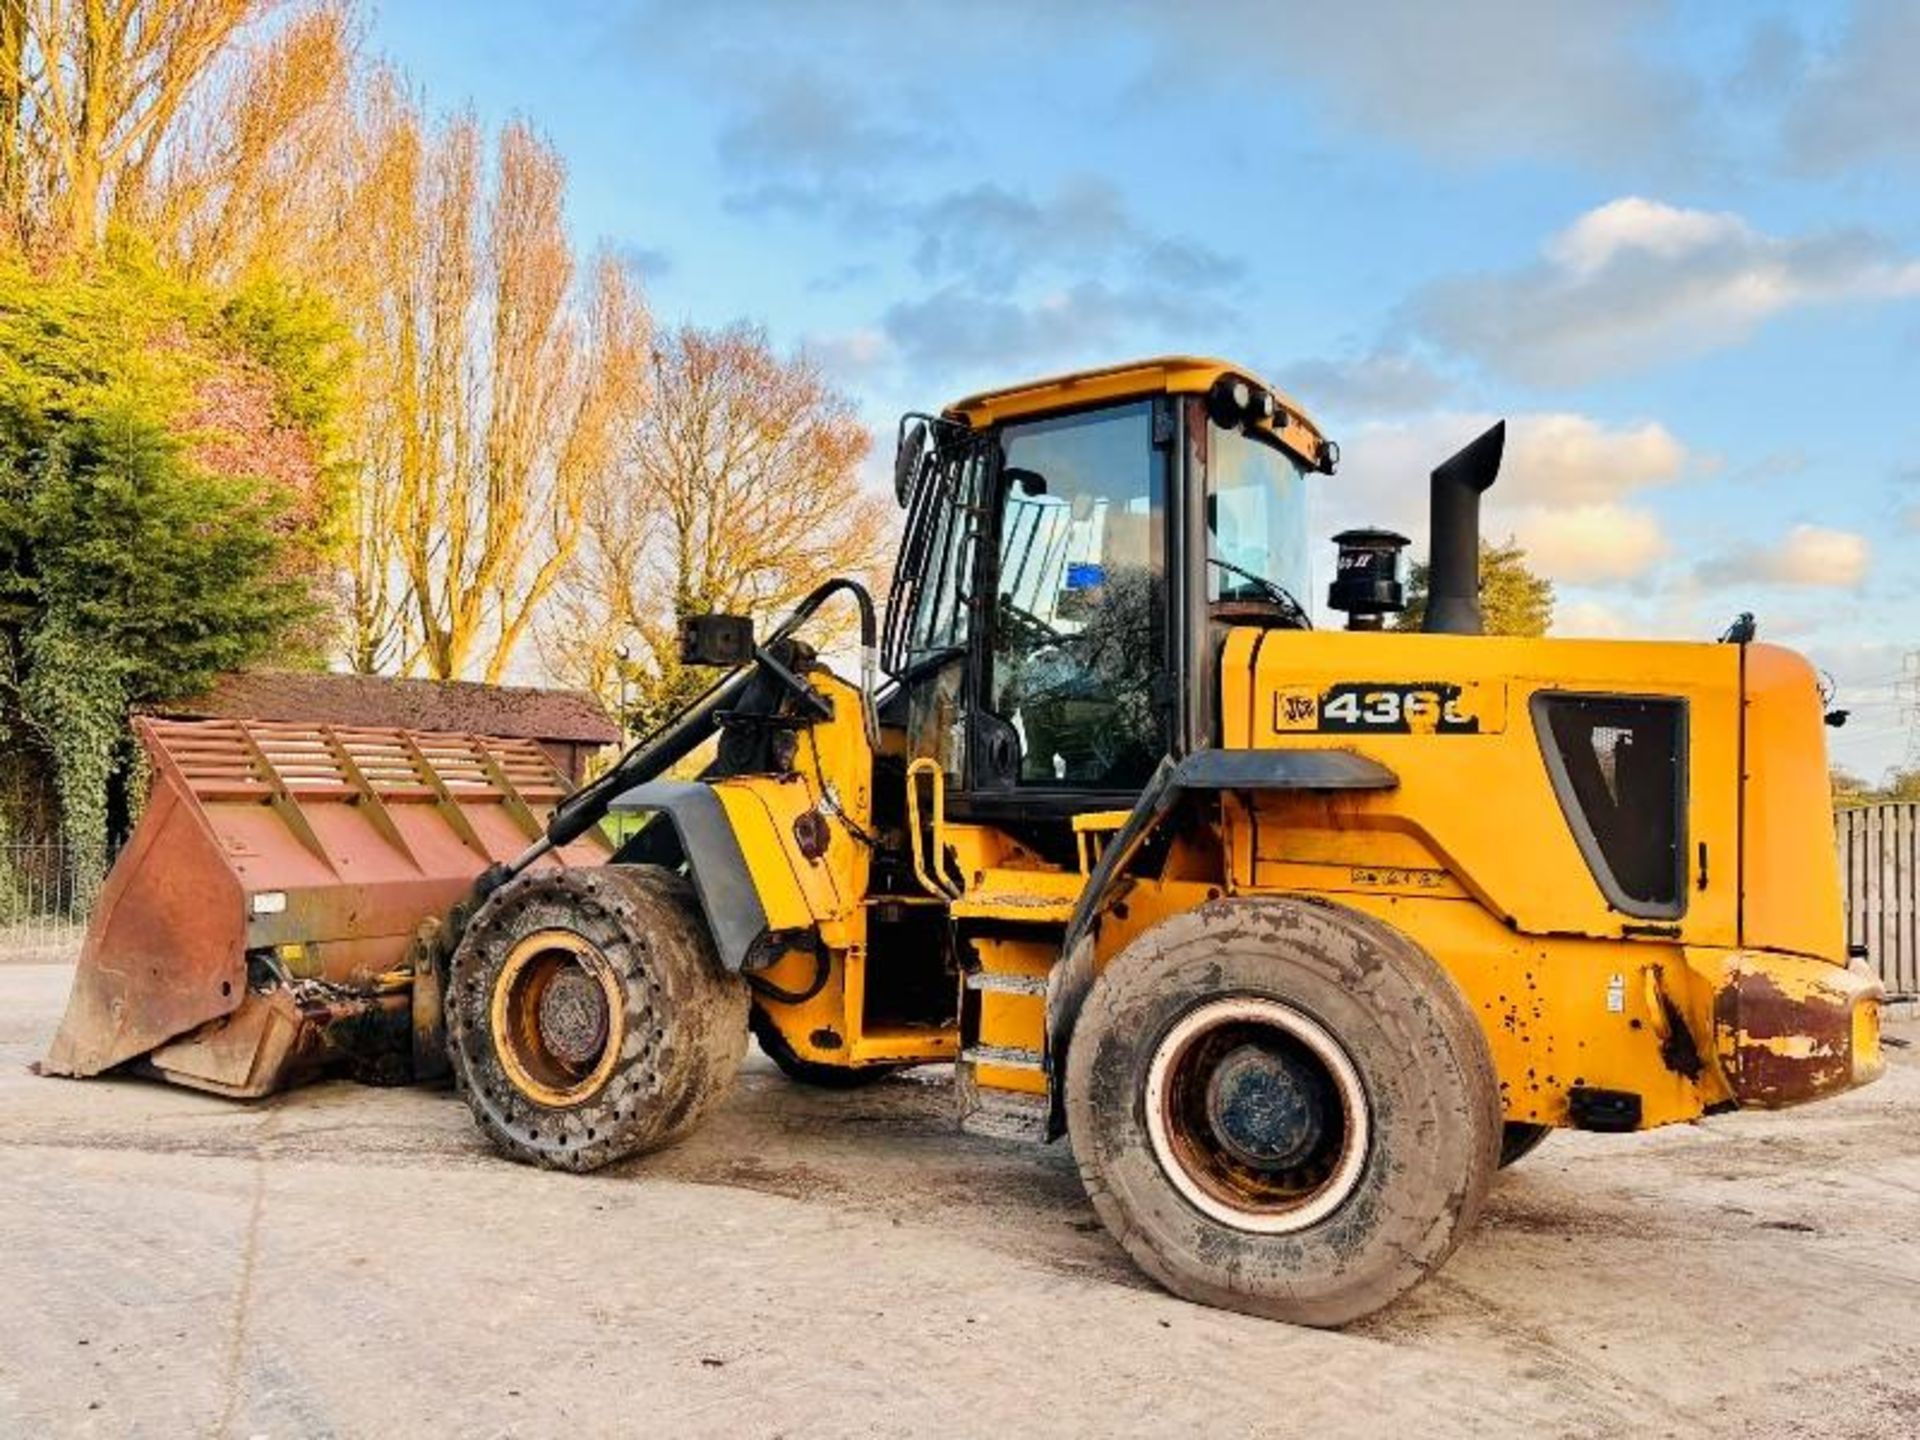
point(1477, 813)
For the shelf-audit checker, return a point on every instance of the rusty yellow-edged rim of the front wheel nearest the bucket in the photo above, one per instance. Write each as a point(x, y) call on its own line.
point(558, 1019)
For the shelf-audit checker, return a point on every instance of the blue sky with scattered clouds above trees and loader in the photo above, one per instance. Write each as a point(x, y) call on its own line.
point(1675, 243)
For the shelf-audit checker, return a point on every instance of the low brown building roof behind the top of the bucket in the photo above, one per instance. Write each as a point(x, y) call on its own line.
point(458, 706)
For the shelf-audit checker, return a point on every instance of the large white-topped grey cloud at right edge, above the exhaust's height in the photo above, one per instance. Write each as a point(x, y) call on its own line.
point(1637, 283)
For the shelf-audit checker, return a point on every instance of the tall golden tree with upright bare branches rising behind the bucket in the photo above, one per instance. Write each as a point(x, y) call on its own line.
point(492, 395)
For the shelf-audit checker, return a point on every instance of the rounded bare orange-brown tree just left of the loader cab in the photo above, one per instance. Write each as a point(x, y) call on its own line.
point(740, 492)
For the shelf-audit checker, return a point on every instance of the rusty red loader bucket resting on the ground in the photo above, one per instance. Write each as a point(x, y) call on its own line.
point(274, 909)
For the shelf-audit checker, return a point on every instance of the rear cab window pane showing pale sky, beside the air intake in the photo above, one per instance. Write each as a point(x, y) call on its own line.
point(1257, 519)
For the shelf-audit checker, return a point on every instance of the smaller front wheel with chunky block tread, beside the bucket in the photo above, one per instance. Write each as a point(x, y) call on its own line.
point(590, 1019)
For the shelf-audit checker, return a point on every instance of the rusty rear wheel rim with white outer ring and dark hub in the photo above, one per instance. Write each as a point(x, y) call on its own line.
point(1257, 1115)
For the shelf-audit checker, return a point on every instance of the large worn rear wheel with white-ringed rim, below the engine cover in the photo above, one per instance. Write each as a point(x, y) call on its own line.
point(1284, 1109)
